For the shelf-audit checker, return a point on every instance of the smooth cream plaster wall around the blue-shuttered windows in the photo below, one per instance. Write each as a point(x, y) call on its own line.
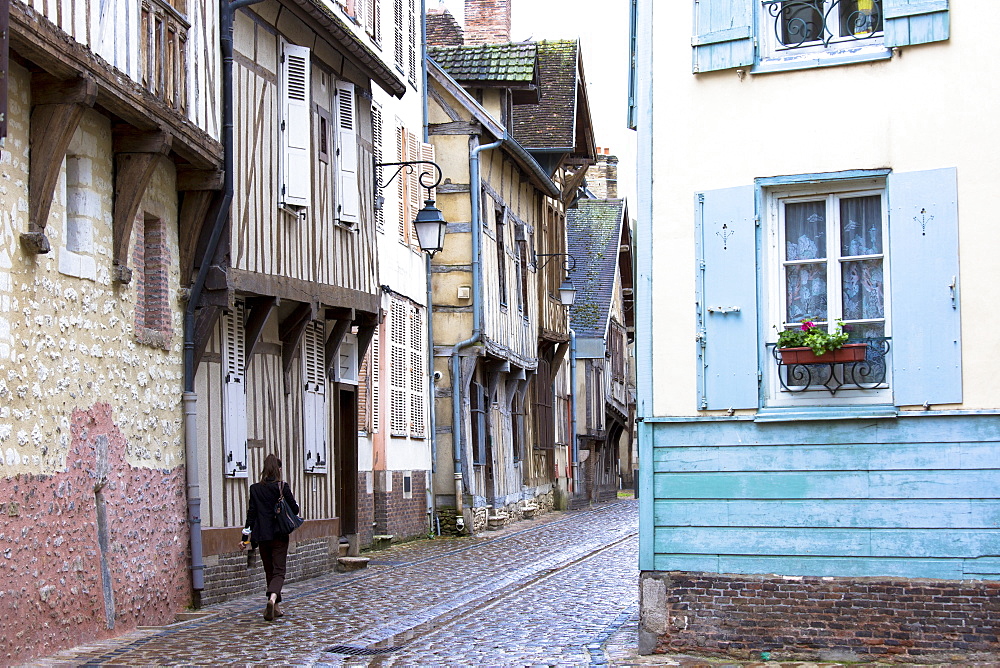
point(930, 106)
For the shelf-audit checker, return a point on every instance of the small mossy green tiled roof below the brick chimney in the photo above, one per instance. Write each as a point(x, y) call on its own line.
point(496, 63)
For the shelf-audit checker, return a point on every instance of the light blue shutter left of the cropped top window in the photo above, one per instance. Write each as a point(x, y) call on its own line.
point(723, 34)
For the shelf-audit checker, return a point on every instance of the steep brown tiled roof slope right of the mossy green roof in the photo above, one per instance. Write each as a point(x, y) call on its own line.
point(552, 122)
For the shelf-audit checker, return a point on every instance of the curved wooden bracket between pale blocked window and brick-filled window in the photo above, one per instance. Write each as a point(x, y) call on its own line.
point(136, 154)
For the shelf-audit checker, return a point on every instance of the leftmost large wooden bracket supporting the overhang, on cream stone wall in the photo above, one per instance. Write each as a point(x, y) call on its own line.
point(54, 120)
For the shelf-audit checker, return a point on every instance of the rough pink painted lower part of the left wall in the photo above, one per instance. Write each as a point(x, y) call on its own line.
point(52, 591)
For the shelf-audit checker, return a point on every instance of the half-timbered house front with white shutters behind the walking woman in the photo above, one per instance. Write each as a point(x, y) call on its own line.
point(280, 355)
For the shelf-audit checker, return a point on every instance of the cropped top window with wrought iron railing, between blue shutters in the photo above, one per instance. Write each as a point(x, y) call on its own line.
point(802, 23)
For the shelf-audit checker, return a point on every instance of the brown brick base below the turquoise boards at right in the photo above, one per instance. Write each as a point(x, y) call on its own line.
point(819, 617)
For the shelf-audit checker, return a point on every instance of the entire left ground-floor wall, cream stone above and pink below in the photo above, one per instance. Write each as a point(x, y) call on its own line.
point(91, 446)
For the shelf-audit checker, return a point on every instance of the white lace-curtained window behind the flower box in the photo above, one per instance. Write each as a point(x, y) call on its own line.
point(831, 265)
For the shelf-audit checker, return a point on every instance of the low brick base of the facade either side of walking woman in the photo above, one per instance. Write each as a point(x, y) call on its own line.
point(227, 576)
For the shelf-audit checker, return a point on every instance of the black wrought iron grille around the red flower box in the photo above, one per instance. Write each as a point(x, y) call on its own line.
point(870, 373)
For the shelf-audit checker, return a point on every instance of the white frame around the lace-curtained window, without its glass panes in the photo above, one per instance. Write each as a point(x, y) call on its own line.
point(774, 284)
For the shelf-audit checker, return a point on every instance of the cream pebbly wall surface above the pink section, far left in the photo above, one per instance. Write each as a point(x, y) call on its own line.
point(67, 343)
